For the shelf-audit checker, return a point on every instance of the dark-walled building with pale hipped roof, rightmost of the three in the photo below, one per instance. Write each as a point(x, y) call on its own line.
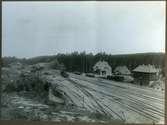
point(143, 74)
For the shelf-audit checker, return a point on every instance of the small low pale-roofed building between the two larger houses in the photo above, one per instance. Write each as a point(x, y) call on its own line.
point(122, 70)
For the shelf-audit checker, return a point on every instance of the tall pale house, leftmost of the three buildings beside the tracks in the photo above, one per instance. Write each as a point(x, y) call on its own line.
point(102, 68)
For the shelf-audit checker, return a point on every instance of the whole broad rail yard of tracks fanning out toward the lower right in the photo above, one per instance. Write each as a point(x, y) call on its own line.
point(113, 98)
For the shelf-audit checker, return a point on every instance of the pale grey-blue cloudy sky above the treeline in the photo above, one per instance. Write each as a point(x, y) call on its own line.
point(32, 29)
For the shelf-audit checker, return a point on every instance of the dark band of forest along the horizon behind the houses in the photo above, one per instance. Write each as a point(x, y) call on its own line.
point(83, 62)
